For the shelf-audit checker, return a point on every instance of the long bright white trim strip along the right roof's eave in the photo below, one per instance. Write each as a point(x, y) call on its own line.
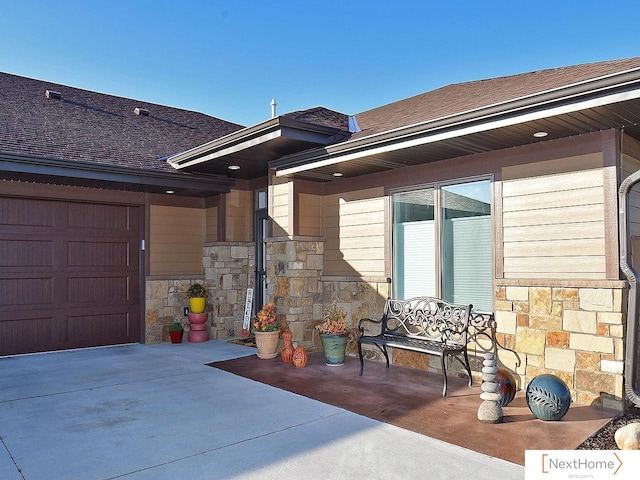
point(459, 132)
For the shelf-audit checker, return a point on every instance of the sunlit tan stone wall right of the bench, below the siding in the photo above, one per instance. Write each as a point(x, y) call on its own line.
point(574, 332)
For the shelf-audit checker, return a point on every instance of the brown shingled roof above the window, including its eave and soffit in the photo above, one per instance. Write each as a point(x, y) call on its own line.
point(480, 116)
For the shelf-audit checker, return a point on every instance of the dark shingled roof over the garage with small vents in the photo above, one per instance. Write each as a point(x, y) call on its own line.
point(95, 128)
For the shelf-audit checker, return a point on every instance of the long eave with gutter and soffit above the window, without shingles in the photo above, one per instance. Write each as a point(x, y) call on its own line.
point(608, 102)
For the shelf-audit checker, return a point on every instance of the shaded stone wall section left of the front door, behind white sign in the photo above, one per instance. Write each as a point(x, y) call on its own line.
point(229, 267)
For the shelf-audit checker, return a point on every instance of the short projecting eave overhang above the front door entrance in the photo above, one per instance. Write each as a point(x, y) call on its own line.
point(246, 153)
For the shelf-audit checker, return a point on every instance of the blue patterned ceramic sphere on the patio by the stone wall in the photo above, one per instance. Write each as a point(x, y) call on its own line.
point(548, 397)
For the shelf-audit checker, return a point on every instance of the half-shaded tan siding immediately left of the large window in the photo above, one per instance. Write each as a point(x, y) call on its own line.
point(354, 233)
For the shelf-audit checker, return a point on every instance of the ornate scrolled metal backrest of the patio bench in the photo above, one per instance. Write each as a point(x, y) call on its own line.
point(427, 318)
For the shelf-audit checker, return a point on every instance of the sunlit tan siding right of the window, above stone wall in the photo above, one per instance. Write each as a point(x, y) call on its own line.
point(554, 223)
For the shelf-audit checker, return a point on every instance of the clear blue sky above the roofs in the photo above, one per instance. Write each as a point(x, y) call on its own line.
point(230, 58)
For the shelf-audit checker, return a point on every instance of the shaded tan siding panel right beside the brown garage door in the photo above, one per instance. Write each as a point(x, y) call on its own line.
point(175, 241)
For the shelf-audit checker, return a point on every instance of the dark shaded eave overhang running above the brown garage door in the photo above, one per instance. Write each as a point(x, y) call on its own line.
point(66, 172)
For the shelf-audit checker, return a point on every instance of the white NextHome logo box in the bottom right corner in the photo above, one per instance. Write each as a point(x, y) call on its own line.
point(581, 464)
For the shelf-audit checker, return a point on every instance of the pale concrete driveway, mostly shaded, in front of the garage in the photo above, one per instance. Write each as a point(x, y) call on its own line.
point(158, 412)
